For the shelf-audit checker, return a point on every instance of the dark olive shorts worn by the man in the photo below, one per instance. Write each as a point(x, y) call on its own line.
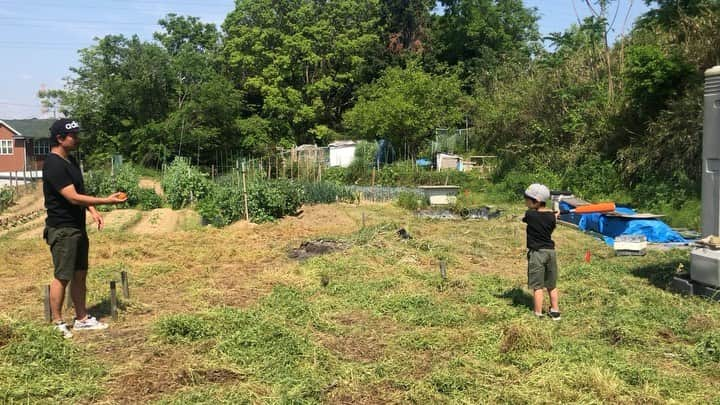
point(69, 248)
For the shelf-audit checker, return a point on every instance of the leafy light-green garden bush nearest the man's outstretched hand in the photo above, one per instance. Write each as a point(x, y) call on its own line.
point(184, 184)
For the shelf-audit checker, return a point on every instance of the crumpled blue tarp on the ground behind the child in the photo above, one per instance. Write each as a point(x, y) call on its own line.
point(655, 230)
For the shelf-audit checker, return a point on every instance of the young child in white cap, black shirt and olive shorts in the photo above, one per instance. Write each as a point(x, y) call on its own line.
point(542, 263)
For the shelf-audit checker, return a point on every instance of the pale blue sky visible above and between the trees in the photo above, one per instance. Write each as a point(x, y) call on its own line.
point(39, 39)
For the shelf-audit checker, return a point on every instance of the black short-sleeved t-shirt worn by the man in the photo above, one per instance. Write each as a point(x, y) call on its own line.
point(59, 173)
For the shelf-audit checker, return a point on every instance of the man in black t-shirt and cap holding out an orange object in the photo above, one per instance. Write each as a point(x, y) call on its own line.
point(65, 233)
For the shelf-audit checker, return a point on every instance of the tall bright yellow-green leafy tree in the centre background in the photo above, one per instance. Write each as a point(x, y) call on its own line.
point(299, 62)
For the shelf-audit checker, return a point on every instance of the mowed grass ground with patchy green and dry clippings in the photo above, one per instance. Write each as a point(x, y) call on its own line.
point(225, 317)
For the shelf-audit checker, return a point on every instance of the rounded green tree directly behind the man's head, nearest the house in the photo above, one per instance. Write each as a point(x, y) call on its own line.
point(121, 85)
